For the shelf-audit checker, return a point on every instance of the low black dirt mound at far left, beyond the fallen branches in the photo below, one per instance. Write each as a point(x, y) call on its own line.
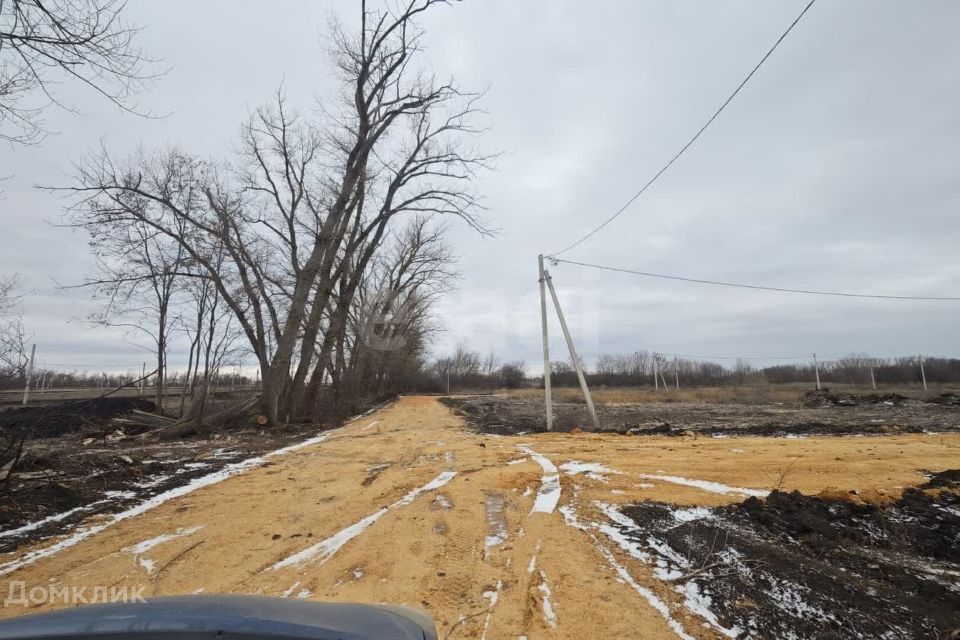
point(71, 417)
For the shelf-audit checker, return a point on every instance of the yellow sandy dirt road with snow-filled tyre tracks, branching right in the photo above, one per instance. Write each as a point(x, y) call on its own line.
point(495, 537)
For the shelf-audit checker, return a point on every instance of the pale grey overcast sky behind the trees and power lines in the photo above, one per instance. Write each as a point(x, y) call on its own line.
point(836, 168)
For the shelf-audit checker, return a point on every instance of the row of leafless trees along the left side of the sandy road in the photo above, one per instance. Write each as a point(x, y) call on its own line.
point(317, 248)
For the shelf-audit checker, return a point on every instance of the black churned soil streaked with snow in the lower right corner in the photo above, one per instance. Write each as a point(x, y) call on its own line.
point(797, 566)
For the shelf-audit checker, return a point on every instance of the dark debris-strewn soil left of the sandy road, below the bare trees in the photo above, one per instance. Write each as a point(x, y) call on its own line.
point(74, 458)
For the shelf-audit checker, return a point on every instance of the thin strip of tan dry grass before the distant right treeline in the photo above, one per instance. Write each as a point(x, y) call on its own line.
point(757, 394)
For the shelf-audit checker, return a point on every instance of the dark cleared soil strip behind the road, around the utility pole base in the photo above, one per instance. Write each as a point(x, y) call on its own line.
point(506, 415)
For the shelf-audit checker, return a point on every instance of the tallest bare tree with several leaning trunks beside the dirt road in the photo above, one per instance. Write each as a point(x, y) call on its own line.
point(307, 206)
